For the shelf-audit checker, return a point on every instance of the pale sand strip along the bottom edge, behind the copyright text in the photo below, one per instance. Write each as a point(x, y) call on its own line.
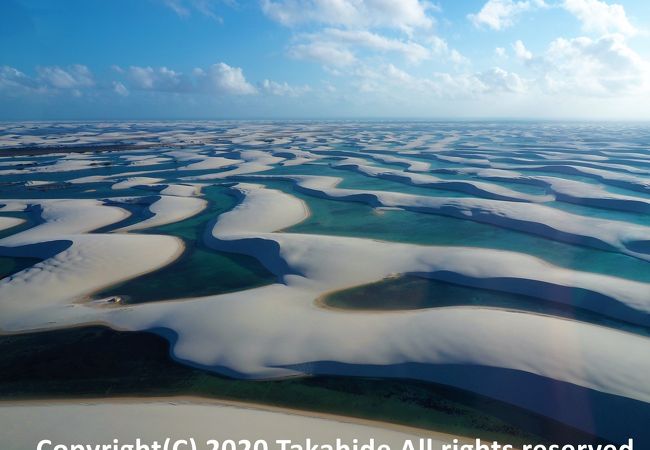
point(98, 421)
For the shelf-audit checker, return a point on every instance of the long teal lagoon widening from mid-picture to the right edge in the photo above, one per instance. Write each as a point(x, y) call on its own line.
point(345, 218)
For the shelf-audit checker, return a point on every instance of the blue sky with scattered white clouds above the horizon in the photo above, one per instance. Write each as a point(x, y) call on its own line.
point(174, 59)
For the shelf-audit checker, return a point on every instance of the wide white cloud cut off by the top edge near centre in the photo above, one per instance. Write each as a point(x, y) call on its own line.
point(406, 15)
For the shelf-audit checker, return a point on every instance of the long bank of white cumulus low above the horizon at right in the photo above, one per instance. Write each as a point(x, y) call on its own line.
point(582, 67)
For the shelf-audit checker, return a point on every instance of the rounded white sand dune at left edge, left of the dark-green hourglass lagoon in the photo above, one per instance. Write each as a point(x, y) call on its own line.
point(80, 265)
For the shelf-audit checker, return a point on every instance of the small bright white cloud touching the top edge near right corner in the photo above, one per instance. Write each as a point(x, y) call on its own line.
point(599, 17)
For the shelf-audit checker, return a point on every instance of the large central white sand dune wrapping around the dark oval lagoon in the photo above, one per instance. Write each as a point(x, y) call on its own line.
point(287, 330)
